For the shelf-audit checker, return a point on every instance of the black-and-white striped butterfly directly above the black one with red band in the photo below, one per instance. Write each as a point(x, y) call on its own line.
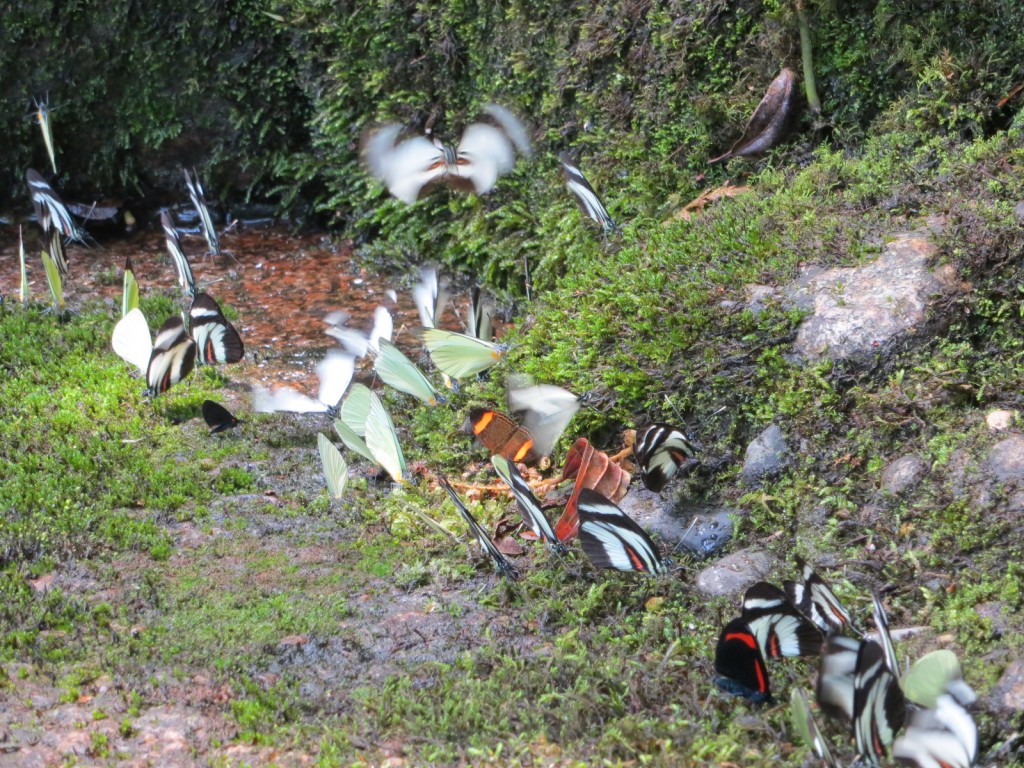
point(780, 628)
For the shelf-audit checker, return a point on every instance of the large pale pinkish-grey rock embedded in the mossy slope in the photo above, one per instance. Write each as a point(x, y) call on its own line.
point(860, 312)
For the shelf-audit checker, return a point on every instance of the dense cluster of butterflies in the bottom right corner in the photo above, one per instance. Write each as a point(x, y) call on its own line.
point(860, 681)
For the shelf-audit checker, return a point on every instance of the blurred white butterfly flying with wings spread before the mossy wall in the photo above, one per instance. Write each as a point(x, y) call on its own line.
point(485, 153)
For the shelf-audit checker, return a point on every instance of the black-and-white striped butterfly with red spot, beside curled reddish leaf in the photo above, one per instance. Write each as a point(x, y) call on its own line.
point(613, 540)
